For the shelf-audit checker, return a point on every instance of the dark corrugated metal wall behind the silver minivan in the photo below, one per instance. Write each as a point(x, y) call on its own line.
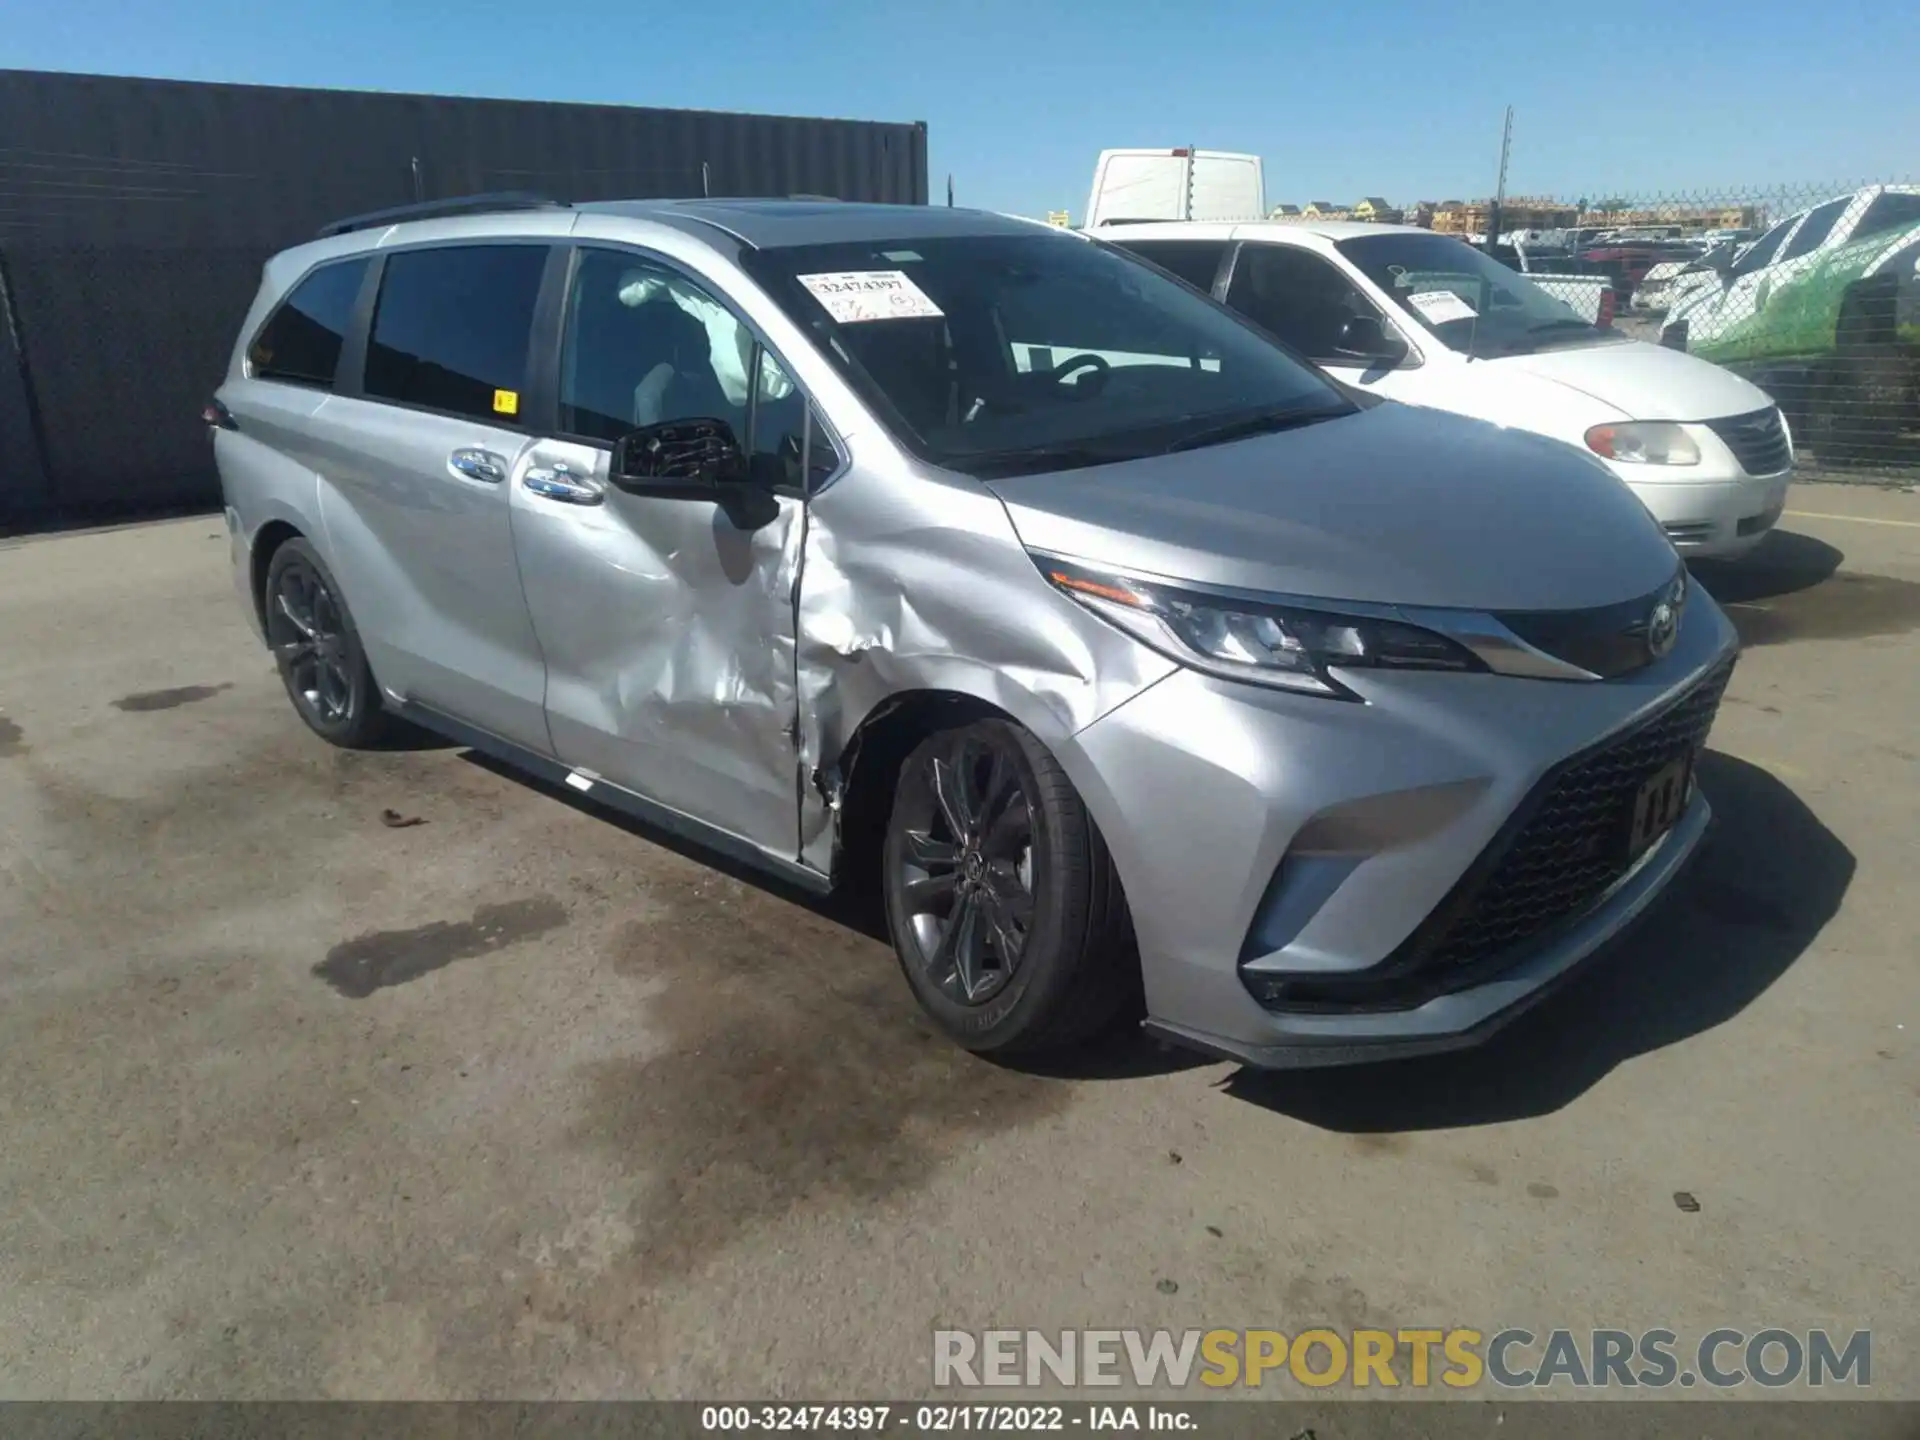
point(135, 218)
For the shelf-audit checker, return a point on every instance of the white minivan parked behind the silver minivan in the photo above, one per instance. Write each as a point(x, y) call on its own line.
point(1428, 320)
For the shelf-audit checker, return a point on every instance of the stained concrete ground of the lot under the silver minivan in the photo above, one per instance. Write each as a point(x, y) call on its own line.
point(521, 1103)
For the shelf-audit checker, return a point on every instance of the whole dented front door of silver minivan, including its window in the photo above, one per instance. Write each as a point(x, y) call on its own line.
point(667, 625)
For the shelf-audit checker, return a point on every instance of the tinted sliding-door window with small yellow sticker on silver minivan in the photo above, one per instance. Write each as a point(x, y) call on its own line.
point(452, 329)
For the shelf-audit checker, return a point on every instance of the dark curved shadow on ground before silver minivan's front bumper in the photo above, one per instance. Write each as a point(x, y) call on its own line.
point(1764, 886)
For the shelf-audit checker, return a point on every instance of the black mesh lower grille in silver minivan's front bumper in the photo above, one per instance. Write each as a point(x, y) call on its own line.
point(1562, 852)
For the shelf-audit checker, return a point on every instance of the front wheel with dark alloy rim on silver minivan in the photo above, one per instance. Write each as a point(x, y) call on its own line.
point(1003, 901)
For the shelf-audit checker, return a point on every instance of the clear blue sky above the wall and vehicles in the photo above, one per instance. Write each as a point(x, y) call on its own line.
point(1389, 99)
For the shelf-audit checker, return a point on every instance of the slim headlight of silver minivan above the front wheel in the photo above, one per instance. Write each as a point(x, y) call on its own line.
point(1285, 646)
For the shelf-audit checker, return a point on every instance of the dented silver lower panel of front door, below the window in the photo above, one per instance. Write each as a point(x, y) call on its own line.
point(667, 627)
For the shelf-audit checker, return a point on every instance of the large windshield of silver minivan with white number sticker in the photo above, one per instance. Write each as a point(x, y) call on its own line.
point(999, 354)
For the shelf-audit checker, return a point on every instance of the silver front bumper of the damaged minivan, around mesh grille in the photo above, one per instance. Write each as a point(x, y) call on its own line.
point(1205, 788)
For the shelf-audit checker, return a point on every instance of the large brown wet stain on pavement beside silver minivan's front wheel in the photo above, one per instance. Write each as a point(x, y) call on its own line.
point(786, 1068)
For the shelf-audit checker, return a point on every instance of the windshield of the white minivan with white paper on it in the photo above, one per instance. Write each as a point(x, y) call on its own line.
point(1466, 300)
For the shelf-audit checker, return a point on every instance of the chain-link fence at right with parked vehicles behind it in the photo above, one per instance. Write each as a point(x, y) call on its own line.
point(1810, 291)
